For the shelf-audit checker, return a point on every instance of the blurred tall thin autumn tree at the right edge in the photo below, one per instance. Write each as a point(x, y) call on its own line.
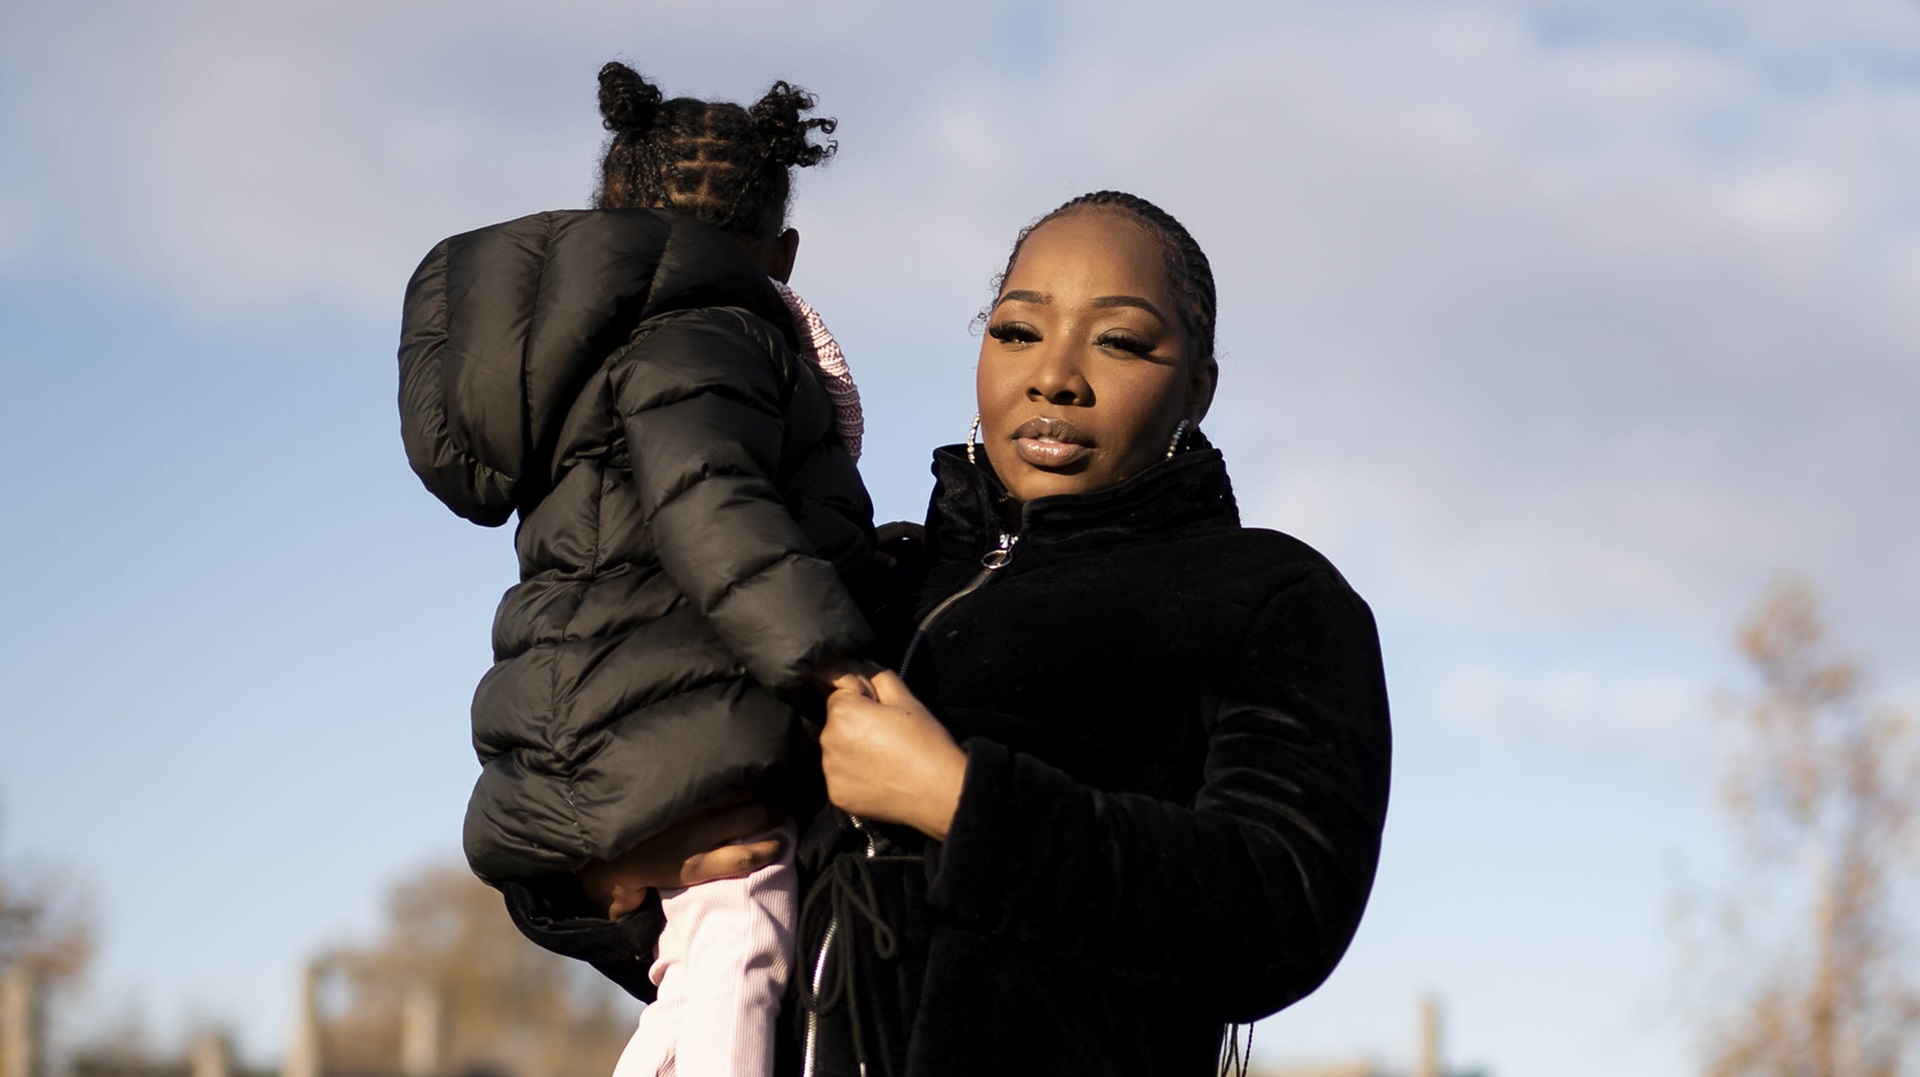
point(1825, 794)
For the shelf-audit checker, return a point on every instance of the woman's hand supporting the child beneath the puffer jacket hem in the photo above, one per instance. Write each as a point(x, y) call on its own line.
point(702, 848)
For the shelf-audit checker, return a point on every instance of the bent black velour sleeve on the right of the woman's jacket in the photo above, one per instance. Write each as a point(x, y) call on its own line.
point(1247, 897)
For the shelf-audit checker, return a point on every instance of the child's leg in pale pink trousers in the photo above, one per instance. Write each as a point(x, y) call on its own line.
point(721, 970)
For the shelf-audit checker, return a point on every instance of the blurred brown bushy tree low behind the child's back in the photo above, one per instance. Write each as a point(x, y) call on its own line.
point(500, 1003)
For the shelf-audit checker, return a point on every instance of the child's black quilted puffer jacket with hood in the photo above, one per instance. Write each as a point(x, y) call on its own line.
point(627, 383)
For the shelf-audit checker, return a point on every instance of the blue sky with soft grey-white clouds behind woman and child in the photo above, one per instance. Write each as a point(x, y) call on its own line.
point(1564, 329)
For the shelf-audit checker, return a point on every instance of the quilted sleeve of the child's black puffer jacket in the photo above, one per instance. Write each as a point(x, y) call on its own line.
point(704, 408)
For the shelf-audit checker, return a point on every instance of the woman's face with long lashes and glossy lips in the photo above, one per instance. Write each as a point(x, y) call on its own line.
point(1086, 371)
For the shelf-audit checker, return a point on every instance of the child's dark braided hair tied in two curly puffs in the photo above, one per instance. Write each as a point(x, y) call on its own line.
point(719, 162)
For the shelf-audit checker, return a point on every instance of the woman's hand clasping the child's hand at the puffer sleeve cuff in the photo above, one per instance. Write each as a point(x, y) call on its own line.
point(888, 759)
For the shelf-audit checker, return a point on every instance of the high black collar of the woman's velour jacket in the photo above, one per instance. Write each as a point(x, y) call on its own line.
point(971, 508)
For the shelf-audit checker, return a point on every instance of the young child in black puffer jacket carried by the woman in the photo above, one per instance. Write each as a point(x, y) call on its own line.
point(677, 433)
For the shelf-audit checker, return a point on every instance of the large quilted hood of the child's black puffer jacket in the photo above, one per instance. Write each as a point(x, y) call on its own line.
point(504, 327)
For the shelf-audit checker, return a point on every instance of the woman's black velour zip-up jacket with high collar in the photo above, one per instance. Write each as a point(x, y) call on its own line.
point(1178, 769)
